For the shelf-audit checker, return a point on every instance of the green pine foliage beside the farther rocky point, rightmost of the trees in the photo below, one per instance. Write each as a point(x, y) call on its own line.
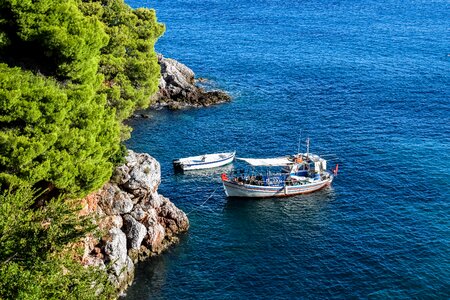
point(129, 62)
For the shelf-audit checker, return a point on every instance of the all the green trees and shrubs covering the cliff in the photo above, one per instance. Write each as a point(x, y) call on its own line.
point(70, 72)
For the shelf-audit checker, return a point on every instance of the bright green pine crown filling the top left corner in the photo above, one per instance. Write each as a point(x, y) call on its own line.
point(52, 37)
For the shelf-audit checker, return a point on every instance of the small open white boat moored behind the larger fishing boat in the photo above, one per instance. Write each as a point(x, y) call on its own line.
point(205, 161)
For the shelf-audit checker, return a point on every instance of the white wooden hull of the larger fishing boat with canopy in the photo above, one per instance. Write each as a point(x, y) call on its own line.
point(234, 189)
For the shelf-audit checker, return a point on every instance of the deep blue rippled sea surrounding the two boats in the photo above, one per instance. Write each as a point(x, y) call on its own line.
point(367, 81)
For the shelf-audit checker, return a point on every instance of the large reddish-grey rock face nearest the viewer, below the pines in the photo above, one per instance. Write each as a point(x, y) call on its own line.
point(138, 222)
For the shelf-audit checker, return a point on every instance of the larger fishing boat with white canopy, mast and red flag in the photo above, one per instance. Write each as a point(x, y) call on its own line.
point(298, 174)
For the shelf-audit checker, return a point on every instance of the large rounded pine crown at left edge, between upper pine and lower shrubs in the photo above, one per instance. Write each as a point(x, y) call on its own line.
point(57, 137)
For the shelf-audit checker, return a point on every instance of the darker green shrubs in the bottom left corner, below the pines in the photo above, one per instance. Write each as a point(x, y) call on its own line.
point(35, 262)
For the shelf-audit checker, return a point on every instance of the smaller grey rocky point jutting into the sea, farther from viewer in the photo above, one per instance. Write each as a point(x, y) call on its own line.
point(178, 88)
